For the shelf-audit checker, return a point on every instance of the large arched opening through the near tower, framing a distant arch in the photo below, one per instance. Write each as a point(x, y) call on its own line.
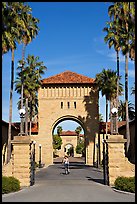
point(72, 135)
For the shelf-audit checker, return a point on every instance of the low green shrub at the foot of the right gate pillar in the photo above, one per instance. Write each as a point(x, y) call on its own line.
point(125, 184)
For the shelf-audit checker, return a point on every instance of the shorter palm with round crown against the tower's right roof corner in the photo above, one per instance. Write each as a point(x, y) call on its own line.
point(106, 82)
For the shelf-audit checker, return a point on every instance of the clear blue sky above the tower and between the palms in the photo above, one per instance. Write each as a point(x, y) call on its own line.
point(70, 38)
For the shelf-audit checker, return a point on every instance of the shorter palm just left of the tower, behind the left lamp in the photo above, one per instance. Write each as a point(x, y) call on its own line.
point(33, 71)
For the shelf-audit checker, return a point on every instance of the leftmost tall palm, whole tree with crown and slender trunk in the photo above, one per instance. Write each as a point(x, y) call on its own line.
point(10, 36)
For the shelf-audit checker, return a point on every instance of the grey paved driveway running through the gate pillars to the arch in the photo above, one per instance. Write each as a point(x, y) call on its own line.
point(83, 184)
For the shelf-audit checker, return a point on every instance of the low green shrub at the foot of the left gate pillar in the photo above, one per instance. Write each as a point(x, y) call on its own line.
point(10, 184)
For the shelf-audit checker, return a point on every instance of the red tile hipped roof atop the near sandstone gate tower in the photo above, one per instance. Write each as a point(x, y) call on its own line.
point(68, 77)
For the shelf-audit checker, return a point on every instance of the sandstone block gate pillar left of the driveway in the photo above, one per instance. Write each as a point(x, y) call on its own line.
point(21, 159)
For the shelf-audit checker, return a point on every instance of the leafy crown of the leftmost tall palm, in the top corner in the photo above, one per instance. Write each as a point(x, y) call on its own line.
point(10, 25)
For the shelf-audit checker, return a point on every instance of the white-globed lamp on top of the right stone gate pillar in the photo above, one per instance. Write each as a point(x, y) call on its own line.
point(114, 126)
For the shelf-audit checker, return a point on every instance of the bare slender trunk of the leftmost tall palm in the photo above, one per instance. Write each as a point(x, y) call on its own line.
point(10, 108)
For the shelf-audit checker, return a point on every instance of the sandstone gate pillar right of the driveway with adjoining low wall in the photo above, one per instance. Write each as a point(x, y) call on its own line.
point(118, 164)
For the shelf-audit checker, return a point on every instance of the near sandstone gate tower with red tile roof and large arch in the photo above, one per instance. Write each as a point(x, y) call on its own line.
point(67, 96)
